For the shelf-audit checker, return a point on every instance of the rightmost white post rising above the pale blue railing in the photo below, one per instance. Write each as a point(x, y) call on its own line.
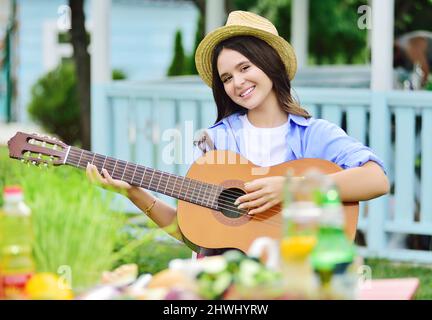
point(382, 44)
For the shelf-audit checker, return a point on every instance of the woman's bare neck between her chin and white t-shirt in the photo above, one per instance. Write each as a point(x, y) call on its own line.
point(268, 115)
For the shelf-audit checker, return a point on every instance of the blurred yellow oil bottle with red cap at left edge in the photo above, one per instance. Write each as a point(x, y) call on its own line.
point(16, 239)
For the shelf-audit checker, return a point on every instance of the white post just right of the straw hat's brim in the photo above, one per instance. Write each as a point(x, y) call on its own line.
point(300, 30)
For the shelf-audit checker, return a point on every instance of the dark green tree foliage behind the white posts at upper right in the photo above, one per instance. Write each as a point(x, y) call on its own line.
point(334, 36)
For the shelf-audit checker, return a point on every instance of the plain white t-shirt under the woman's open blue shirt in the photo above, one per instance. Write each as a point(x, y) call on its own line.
point(264, 146)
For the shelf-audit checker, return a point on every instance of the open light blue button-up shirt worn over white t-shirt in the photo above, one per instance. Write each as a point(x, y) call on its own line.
point(305, 138)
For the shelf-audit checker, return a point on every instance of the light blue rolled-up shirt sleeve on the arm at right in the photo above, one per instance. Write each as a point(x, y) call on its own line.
point(328, 141)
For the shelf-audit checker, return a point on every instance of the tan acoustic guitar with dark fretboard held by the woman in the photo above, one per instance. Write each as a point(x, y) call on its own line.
point(207, 216)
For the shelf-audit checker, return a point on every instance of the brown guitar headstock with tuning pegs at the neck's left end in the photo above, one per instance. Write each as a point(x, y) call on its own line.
point(37, 149)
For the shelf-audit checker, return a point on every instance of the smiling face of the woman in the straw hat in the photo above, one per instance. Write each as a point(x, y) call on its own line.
point(245, 84)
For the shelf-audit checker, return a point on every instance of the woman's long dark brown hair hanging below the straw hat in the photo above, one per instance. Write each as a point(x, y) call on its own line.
point(265, 58)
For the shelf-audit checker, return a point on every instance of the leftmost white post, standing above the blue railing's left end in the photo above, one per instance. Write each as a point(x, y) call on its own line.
point(100, 41)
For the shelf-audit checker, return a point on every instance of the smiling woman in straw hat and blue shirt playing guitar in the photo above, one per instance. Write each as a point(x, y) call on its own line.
point(249, 67)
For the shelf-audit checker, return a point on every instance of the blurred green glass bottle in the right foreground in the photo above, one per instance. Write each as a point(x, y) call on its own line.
point(333, 257)
